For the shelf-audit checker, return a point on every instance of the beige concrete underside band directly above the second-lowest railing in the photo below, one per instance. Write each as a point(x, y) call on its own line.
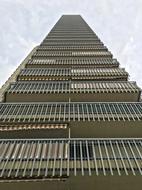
point(75, 97)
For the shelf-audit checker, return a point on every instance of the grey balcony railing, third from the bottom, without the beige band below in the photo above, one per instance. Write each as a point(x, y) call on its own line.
point(73, 87)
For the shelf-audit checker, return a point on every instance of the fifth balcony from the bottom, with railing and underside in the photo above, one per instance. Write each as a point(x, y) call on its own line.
point(69, 62)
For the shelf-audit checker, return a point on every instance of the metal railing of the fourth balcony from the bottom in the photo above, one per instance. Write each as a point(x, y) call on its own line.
point(74, 71)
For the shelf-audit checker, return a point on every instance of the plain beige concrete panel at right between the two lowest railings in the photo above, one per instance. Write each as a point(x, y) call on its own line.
point(107, 129)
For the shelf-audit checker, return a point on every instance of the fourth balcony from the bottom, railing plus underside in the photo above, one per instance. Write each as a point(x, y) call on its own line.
point(74, 73)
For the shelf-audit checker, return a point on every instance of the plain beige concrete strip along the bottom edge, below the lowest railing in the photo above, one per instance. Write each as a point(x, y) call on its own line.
point(79, 183)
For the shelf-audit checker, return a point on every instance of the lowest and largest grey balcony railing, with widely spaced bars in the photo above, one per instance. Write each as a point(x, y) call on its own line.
point(38, 158)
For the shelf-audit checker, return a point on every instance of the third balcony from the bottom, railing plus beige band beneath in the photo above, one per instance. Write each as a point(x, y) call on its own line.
point(75, 91)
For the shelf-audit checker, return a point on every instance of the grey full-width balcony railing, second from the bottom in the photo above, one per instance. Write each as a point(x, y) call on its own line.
point(41, 112)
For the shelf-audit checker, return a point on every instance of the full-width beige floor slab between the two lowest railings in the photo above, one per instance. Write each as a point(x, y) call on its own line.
point(76, 129)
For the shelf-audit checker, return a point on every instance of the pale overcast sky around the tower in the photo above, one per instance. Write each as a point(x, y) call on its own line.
point(24, 24)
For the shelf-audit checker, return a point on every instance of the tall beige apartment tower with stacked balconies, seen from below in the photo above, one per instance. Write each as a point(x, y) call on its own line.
point(69, 117)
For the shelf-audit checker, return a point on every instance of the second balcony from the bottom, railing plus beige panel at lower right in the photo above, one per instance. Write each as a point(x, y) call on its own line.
point(84, 119)
